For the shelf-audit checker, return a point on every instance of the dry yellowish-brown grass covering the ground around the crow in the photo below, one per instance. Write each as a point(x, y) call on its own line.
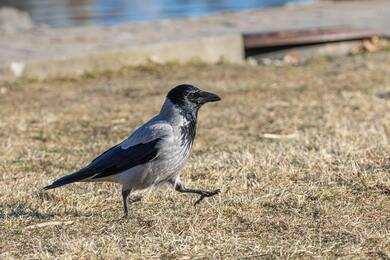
point(321, 191)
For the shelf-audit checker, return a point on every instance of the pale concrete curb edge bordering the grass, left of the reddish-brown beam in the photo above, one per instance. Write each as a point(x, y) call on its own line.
point(207, 49)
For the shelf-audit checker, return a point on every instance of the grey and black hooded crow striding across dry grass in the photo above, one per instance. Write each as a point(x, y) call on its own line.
point(154, 153)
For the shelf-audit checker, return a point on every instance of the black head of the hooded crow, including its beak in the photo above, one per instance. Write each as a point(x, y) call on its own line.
point(188, 96)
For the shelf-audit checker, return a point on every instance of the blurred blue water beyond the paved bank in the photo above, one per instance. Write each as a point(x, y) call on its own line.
point(61, 13)
